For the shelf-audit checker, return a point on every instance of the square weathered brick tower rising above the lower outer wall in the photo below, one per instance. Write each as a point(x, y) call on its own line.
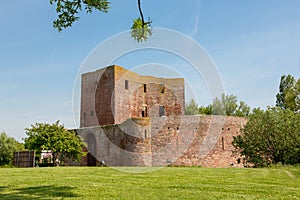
point(112, 95)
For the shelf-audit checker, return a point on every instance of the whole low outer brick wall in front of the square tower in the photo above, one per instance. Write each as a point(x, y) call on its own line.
point(170, 140)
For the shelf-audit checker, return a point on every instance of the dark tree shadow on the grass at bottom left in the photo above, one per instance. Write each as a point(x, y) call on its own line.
point(40, 192)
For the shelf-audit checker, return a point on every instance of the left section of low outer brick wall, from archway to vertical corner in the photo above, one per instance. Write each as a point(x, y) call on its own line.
point(125, 144)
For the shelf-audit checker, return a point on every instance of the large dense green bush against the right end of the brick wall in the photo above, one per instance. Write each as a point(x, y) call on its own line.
point(270, 137)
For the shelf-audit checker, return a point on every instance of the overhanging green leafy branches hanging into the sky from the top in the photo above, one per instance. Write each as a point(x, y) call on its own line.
point(68, 11)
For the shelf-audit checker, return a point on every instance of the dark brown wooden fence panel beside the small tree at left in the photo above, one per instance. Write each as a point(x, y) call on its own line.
point(24, 159)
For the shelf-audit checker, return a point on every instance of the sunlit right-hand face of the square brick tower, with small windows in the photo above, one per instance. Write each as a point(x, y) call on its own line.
point(142, 96)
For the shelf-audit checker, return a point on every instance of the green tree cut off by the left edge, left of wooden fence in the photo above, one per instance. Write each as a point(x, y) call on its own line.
point(8, 146)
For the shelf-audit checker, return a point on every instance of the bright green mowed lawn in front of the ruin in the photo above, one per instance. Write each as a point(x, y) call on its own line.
point(165, 183)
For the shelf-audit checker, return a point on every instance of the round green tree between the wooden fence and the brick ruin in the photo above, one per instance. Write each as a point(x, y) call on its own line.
point(63, 143)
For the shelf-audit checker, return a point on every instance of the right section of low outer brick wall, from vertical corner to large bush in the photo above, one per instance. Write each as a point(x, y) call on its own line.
point(195, 140)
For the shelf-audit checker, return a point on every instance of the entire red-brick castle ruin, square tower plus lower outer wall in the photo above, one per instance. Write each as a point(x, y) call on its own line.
point(128, 119)
